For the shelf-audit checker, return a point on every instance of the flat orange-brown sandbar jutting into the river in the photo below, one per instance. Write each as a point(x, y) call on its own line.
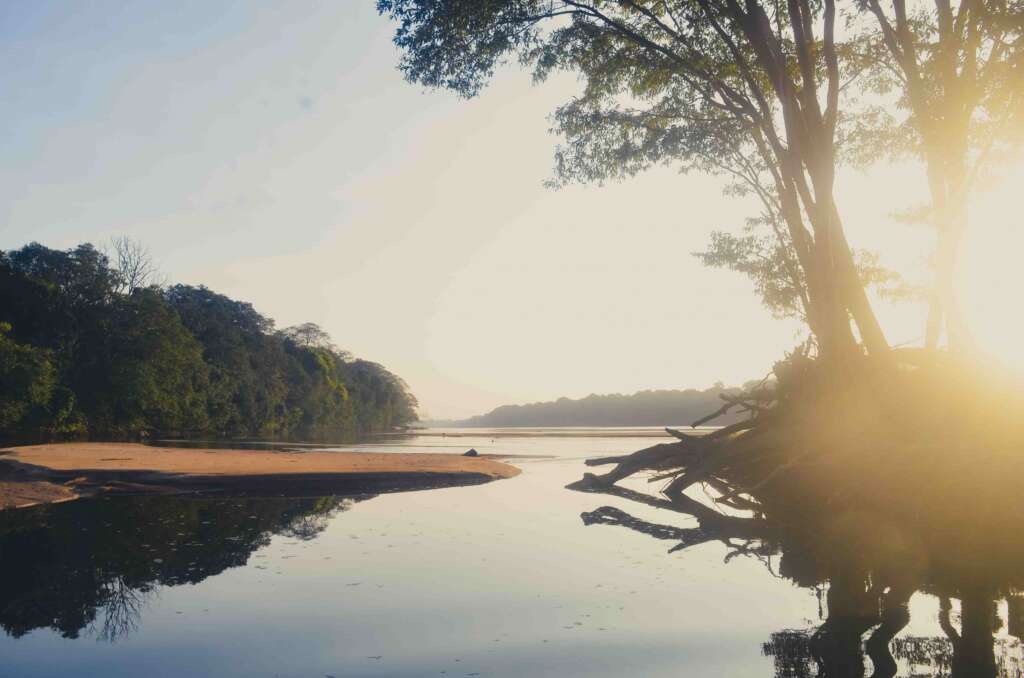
point(34, 475)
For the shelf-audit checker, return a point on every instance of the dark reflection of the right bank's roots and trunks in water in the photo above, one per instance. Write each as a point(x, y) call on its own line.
point(868, 570)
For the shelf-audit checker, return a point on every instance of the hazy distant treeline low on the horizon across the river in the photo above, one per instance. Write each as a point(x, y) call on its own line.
point(652, 408)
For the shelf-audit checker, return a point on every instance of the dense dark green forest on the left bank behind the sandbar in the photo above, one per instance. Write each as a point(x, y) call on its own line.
point(93, 348)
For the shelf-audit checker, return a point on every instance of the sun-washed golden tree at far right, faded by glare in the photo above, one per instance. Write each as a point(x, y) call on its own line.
point(958, 72)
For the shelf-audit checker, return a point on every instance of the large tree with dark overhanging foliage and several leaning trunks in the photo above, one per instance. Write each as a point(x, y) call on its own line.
point(749, 91)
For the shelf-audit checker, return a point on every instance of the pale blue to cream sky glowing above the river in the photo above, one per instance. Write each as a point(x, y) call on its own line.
point(274, 153)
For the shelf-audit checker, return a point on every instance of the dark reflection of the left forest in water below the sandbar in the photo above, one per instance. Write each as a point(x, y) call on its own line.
point(95, 565)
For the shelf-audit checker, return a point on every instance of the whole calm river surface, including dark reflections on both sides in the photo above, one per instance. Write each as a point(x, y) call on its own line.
point(492, 580)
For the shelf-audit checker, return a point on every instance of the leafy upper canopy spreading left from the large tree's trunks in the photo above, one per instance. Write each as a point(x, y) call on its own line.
point(642, 105)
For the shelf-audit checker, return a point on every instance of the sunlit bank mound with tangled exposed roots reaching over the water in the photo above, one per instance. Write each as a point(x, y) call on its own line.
point(920, 434)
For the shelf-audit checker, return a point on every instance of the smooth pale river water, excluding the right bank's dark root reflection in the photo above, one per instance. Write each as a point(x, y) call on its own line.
point(496, 580)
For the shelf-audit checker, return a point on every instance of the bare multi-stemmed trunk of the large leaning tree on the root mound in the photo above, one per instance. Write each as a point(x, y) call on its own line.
point(806, 173)
